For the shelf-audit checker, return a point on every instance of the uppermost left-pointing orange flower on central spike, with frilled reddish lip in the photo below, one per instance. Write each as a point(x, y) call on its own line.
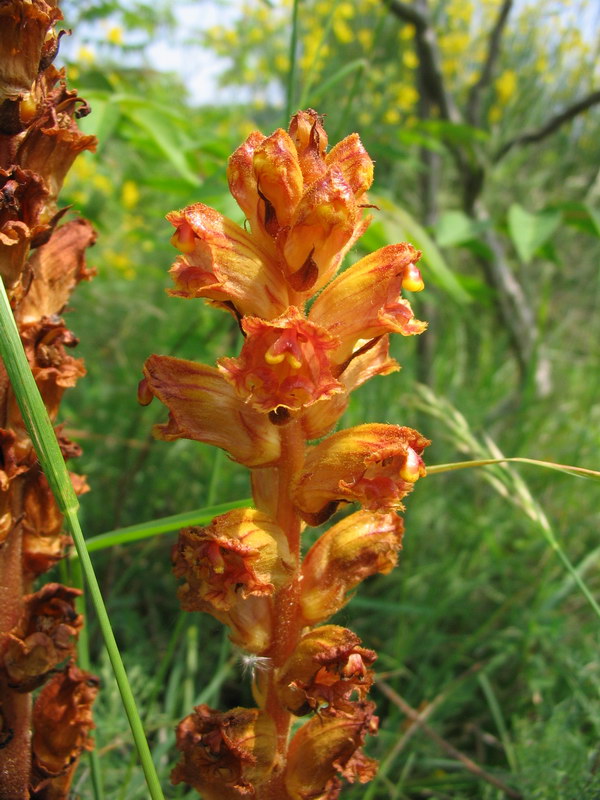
point(224, 264)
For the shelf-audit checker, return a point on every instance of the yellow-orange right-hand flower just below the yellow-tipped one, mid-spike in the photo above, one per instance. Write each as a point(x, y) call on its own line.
point(360, 545)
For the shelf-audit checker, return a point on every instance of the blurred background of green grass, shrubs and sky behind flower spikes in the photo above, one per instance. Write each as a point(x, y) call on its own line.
point(488, 161)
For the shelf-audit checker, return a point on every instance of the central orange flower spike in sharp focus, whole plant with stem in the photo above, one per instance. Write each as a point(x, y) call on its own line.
point(311, 336)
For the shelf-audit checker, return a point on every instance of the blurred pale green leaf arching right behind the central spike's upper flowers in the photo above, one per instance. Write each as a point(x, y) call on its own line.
point(400, 225)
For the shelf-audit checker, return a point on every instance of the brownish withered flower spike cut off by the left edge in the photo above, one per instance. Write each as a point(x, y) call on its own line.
point(41, 261)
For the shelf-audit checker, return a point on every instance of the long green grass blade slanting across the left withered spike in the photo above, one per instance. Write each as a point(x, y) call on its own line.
point(50, 457)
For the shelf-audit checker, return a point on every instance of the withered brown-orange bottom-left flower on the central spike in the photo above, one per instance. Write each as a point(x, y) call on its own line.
point(224, 754)
